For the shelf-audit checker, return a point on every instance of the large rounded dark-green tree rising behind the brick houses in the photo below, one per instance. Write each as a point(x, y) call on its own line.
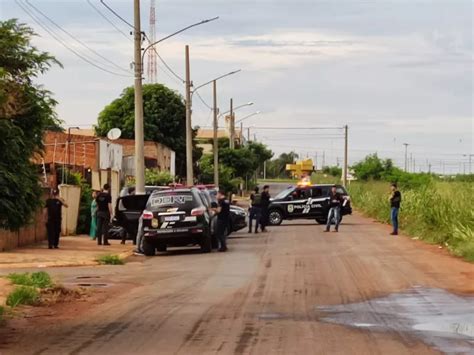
point(164, 116)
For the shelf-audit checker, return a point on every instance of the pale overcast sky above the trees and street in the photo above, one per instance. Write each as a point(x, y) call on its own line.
point(398, 71)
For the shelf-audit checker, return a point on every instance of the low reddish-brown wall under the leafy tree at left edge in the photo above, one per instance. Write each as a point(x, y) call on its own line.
point(34, 233)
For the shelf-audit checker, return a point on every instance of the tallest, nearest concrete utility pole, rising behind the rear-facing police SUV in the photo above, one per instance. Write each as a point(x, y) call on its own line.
point(139, 139)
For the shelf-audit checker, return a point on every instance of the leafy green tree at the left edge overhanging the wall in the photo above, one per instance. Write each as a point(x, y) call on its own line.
point(26, 111)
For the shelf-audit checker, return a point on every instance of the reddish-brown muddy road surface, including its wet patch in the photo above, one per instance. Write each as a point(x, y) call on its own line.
point(294, 290)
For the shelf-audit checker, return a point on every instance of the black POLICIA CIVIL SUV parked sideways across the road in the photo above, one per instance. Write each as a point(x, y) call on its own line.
point(305, 202)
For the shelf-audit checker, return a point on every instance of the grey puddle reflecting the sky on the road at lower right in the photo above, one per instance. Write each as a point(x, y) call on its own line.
point(437, 317)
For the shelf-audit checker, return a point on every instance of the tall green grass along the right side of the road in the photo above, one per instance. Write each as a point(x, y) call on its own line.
point(439, 212)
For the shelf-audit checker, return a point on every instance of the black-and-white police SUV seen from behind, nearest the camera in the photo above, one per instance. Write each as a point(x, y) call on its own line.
point(176, 217)
